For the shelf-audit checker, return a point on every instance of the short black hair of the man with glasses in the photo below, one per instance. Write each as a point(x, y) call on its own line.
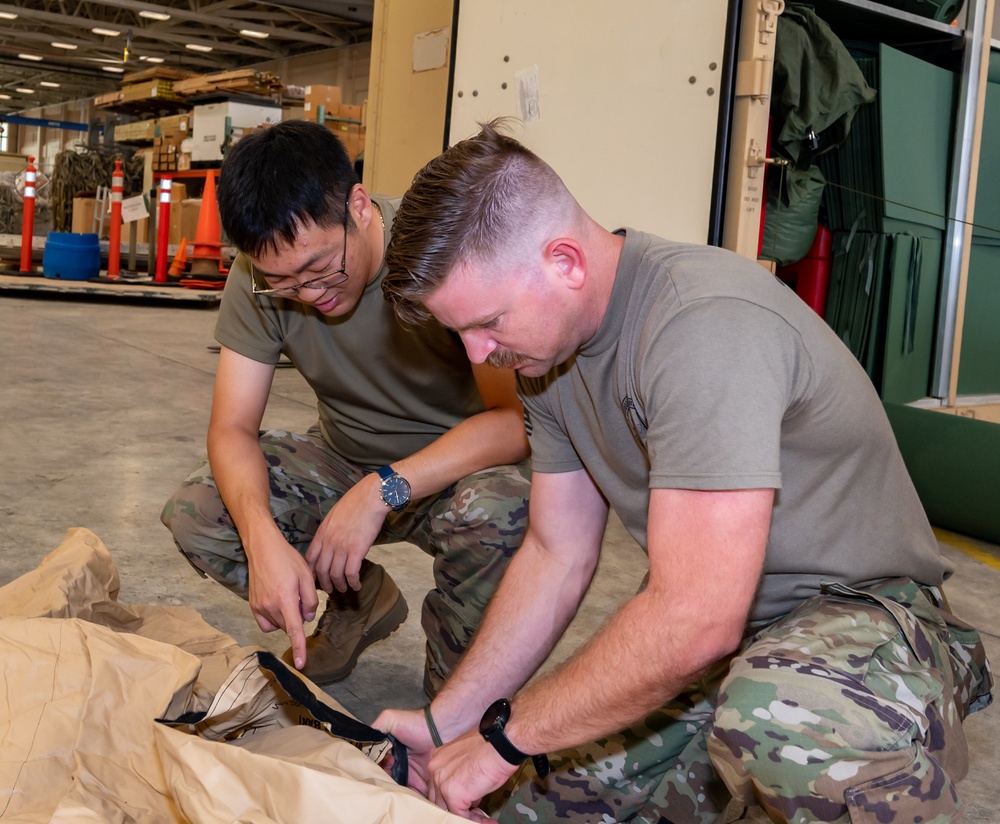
point(276, 180)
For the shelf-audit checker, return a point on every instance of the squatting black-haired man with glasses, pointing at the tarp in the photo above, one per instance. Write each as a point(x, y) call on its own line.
point(413, 442)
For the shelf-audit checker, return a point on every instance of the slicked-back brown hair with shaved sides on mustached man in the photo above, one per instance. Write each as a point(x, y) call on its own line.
point(467, 204)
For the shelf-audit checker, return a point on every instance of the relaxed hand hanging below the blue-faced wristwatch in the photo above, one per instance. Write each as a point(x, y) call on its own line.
point(345, 536)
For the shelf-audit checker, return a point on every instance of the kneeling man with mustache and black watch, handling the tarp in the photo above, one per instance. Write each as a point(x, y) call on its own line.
point(791, 645)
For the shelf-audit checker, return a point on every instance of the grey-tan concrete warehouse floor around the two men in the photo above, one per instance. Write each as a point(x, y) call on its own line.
point(103, 409)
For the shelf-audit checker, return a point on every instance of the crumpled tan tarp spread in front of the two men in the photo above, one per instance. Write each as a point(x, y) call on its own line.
point(83, 679)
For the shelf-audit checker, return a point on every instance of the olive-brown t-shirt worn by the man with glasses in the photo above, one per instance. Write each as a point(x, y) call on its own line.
point(384, 391)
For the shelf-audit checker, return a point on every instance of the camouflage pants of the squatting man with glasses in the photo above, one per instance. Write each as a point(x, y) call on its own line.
point(472, 529)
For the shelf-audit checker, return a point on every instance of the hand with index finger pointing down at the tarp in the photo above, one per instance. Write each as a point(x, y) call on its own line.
point(282, 592)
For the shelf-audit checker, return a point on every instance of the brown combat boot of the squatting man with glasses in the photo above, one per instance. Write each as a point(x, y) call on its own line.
point(351, 622)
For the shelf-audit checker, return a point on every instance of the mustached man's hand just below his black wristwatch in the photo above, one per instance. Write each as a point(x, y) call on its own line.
point(463, 772)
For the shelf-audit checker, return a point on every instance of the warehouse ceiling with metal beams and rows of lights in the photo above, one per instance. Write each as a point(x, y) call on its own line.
point(199, 36)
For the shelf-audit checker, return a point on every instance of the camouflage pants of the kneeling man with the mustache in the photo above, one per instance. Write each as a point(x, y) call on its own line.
point(848, 709)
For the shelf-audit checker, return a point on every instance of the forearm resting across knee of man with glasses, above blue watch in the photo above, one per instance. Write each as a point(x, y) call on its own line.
point(491, 438)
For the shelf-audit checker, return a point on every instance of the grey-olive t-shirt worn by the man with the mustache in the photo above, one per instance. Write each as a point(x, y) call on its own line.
point(709, 373)
